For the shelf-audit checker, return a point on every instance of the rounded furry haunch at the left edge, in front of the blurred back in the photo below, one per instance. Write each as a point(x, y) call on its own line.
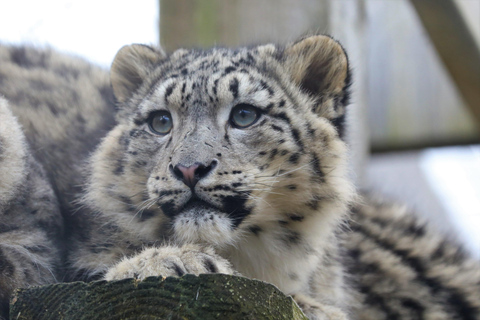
point(30, 221)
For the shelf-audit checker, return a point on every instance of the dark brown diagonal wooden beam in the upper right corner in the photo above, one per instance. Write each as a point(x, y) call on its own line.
point(455, 45)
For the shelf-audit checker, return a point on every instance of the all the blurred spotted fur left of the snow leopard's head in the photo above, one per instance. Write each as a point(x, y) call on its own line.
point(55, 110)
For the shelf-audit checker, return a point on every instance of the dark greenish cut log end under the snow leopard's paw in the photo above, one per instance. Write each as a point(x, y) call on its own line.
point(208, 296)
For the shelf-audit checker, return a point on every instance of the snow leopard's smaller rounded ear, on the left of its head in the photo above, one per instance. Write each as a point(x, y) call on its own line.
point(131, 66)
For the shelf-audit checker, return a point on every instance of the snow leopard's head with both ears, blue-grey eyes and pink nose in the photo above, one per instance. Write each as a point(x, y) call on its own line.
point(214, 146)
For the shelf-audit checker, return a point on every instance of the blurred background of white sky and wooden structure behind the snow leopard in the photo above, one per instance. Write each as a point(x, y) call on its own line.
point(415, 113)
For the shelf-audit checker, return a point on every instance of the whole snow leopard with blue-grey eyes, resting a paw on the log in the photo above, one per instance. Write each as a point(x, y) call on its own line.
point(228, 161)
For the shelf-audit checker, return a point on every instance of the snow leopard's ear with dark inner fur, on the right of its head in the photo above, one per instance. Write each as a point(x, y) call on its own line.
point(319, 65)
